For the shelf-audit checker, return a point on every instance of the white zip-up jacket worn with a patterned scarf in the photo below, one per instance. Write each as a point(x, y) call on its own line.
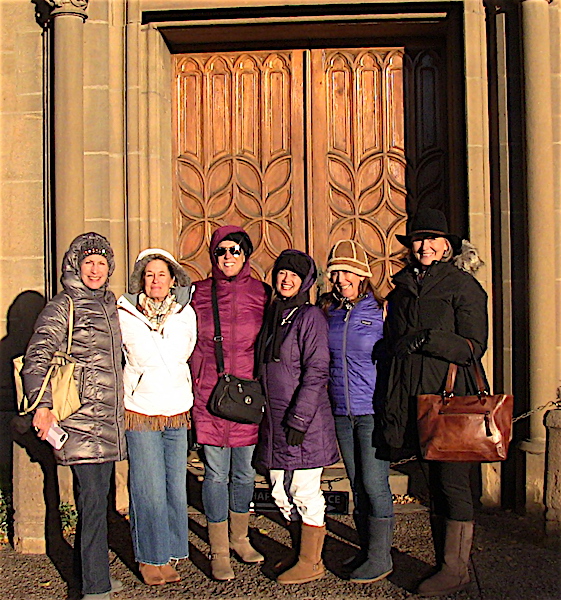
point(157, 377)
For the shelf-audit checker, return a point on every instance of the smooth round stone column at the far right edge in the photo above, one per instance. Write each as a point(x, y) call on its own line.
point(541, 237)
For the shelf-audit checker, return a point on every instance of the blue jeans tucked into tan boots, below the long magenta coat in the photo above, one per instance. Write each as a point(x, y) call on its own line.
point(229, 481)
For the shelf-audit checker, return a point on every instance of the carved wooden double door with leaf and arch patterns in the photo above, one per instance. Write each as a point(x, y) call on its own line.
point(303, 148)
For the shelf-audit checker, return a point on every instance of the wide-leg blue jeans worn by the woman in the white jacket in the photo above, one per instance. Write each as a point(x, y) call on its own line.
point(158, 494)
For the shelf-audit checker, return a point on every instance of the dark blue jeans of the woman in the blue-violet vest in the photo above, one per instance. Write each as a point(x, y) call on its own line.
point(369, 476)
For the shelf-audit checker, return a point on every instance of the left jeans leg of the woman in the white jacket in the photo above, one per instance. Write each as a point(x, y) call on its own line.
point(148, 497)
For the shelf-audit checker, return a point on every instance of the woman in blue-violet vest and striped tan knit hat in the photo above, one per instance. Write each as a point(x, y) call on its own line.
point(355, 317)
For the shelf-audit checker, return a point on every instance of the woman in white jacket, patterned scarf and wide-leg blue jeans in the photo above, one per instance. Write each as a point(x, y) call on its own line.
point(159, 333)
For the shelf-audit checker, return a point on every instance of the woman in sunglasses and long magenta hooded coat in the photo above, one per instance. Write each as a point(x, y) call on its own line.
point(228, 446)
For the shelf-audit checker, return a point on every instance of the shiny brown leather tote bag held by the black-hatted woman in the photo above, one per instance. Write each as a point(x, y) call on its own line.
point(464, 428)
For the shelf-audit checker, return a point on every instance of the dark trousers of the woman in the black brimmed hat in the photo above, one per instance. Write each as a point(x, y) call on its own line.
point(450, 489)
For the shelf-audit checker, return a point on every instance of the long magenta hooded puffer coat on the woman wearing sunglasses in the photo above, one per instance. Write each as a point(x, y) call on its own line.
point(241, 304)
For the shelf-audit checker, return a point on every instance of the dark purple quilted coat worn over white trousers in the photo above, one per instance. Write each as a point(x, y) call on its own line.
point(297, 396)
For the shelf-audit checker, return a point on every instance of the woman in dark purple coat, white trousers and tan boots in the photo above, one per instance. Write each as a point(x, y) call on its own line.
point(298, 432)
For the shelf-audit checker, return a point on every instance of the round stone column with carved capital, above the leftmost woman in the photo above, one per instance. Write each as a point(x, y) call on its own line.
point(68, 18)
